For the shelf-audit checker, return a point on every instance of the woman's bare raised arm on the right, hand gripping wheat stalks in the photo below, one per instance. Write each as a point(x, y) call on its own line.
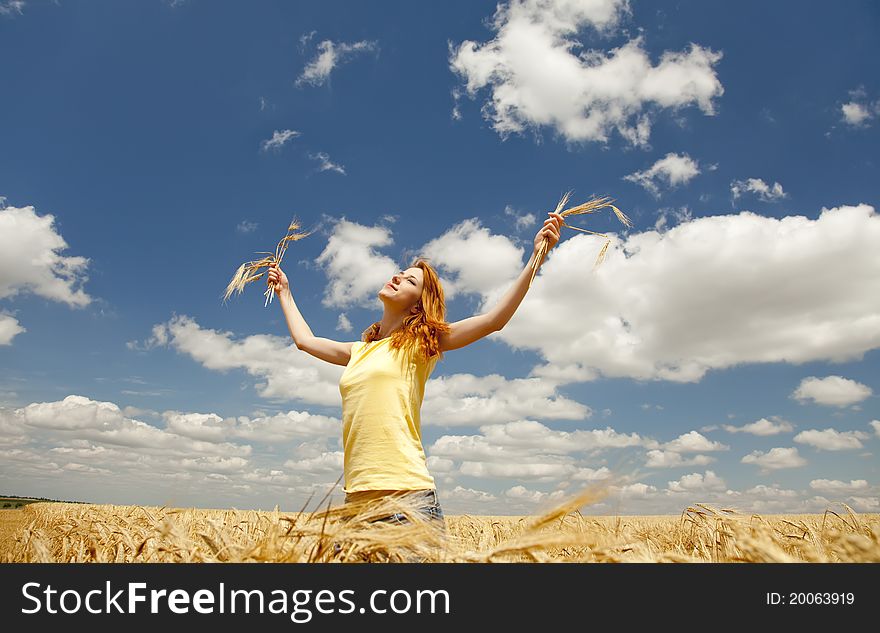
point(472, 329)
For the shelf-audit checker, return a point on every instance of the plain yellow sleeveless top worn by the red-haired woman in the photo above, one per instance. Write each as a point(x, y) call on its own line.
point(382, 391)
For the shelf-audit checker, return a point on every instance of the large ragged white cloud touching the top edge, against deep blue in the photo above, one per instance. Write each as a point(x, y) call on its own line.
point(537, 78)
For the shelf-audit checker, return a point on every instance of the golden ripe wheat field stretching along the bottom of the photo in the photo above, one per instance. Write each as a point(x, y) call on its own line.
point(67, 532)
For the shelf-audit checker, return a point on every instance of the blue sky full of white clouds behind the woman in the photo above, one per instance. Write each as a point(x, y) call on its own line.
point(725, 352)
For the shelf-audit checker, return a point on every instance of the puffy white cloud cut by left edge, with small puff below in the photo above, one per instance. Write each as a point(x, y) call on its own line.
point(31, 261)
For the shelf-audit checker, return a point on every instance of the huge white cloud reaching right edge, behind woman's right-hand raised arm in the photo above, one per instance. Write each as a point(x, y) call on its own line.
point(656, 310)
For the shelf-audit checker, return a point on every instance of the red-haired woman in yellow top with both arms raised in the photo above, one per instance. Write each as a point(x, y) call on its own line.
point(385, 374)
